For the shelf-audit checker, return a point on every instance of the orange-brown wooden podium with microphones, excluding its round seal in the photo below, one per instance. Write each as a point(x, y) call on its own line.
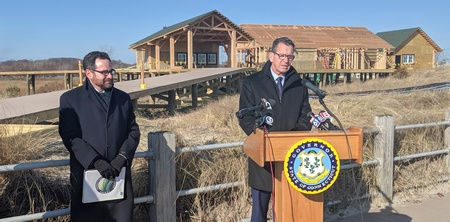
point(291, 204)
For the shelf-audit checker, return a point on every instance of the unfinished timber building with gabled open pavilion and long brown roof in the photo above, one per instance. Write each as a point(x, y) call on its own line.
point(198, 42)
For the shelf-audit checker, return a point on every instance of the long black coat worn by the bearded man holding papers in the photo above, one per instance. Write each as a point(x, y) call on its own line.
point(88, 130)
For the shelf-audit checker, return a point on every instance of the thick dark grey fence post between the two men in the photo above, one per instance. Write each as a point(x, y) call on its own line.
point(162, 176)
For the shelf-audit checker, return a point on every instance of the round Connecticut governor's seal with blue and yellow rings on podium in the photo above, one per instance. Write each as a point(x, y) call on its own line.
point(311, 166)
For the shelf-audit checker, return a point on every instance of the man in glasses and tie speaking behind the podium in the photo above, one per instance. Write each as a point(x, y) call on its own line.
point(279, 81)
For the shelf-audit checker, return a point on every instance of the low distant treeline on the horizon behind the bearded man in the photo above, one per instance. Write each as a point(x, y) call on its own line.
point(48, 64)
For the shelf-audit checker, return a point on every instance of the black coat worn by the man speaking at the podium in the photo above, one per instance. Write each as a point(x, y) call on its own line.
point(289, 113)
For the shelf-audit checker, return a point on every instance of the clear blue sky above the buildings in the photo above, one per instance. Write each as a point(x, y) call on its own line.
point(34, 30)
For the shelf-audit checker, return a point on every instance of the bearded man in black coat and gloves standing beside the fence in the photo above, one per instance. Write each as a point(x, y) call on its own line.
point(98, 127)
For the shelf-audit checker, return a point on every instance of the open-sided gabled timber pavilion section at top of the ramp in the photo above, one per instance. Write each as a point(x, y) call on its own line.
point(193, 43)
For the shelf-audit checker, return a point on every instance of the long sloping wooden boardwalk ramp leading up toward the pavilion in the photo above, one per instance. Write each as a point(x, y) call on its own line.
point(41, 107)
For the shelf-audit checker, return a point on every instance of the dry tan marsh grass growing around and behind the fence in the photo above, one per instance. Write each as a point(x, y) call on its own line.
point(39, 190)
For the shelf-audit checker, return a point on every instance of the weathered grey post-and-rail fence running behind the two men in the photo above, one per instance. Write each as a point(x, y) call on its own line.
point(162, 164)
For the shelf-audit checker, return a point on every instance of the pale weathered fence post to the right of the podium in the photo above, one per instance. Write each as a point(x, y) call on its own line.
point(384, 152)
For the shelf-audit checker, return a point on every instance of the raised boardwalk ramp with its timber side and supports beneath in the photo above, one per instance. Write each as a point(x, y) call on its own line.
point(194, 86)
